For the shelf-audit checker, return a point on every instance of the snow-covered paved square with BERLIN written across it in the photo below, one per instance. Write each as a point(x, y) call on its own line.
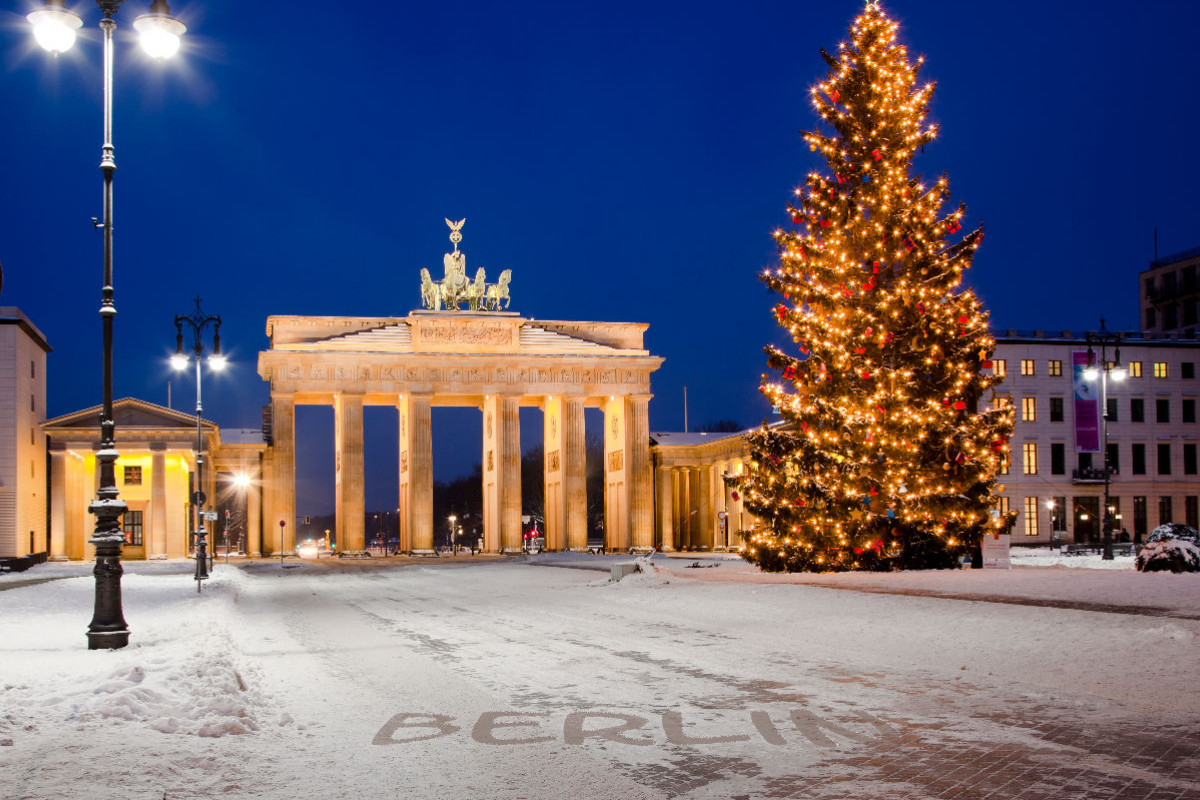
point(539, 678)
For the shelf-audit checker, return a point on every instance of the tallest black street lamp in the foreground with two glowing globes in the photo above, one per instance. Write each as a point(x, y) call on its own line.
point(55, 28)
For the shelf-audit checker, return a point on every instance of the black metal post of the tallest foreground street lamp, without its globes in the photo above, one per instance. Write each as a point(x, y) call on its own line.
point(109, 629)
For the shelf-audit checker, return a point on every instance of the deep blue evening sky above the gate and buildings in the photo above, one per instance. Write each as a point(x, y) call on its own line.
point(628, 163)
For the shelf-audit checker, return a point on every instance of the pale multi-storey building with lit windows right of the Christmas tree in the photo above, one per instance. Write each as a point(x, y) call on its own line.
point(1055, 479)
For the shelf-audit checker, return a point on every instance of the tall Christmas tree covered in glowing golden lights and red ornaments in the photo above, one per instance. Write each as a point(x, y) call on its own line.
point(887, 453)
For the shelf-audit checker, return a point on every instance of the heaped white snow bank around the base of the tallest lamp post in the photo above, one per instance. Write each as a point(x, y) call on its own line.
point(179, 676)
